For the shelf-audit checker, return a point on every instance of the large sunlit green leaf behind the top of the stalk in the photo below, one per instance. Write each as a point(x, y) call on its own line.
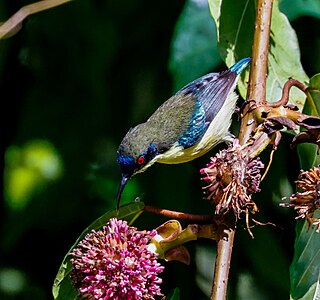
point(235, 24)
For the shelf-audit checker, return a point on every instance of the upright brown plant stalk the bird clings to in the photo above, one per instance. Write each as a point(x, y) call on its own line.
point(256, 92)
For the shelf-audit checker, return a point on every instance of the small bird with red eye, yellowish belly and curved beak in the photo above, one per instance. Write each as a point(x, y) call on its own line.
point(185, 127)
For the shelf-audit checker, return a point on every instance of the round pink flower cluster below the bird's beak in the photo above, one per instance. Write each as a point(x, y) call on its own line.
point(115, 263)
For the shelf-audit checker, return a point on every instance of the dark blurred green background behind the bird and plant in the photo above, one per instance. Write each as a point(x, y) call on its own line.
point(73, 80)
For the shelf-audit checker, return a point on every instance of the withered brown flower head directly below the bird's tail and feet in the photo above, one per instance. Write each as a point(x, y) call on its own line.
point(232, 177)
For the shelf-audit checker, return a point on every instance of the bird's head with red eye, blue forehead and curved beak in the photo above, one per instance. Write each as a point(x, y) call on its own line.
point(136, 152)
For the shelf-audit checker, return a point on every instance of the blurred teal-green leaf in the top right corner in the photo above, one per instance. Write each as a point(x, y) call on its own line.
point(294, 9)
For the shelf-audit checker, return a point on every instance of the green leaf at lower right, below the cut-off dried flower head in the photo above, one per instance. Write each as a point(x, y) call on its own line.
point(305, 268)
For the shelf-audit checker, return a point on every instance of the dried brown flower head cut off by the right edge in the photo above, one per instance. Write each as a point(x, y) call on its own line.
point(307, 200)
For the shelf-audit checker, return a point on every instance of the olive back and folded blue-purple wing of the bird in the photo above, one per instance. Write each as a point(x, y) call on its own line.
point(185, 117)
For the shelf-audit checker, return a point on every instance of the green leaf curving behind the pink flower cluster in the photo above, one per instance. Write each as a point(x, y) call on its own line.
point(62, 287)
